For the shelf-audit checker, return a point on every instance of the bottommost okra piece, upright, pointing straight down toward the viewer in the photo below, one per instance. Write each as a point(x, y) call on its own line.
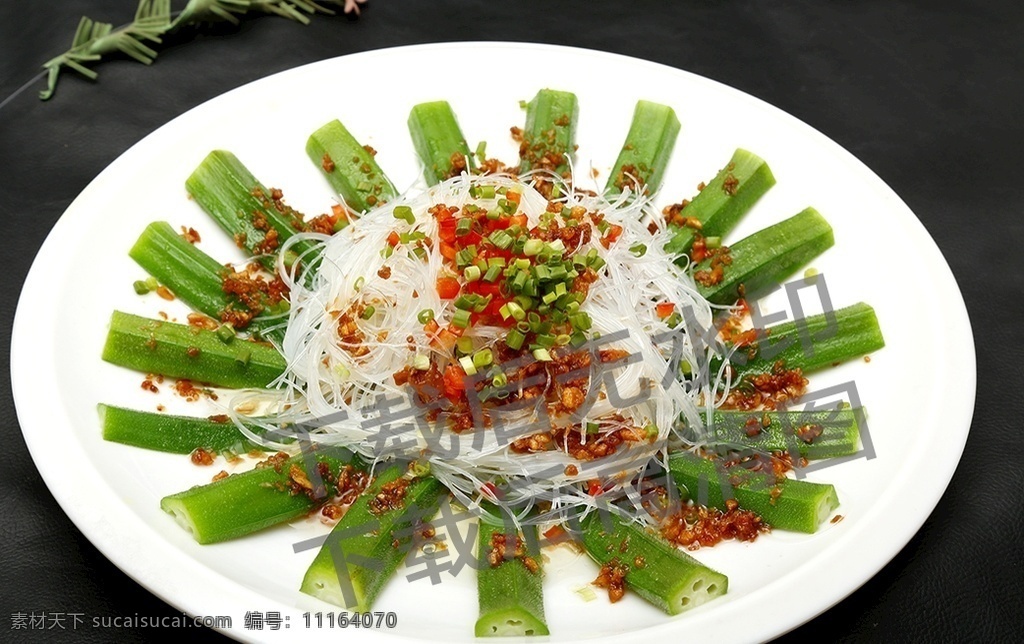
point(509, 588)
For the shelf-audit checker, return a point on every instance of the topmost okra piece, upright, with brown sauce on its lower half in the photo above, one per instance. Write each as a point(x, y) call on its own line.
point(549, 136)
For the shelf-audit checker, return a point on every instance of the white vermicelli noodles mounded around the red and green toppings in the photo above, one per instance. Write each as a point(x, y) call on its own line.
point(345, 394)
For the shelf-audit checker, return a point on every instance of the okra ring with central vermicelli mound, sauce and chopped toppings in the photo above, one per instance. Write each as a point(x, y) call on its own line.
point(569, 366)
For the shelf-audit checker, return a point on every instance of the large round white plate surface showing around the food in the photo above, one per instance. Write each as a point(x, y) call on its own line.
point(920, 398)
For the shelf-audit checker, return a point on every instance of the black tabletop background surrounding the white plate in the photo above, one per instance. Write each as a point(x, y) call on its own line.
point(929, 97)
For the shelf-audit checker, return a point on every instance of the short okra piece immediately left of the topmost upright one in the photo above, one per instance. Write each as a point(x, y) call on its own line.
point(439, 142)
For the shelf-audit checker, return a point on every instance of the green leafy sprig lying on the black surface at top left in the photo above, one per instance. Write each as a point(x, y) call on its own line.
point(154, 20)
